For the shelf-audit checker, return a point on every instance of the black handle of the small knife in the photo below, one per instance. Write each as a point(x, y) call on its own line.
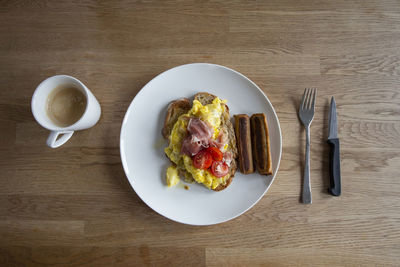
point(335, 188)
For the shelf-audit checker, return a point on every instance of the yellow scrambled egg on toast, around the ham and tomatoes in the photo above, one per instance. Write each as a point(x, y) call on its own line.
point(210, 113)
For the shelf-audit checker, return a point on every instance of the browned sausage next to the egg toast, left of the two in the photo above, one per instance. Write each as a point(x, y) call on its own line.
point(243, 140)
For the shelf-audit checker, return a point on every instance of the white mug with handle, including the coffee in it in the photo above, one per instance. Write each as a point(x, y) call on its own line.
point(63, 104)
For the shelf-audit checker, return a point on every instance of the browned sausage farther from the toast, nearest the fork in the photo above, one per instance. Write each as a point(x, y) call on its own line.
point(261, 145)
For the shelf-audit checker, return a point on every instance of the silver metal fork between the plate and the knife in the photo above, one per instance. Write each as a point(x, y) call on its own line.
point(306, 114)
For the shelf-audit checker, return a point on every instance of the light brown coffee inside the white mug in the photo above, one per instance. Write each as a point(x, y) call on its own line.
point(65, 105)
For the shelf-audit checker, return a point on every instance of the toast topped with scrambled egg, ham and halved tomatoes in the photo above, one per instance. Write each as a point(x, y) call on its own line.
point(201, 142)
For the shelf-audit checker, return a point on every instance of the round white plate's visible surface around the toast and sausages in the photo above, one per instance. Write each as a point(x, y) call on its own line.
point(144, 160)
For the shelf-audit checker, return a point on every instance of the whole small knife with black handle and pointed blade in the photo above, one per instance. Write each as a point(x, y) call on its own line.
point(333, 141)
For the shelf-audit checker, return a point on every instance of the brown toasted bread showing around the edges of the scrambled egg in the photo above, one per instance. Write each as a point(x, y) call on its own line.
point(182, 106)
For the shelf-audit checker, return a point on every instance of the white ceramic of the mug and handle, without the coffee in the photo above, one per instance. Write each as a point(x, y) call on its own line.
point(89, 118)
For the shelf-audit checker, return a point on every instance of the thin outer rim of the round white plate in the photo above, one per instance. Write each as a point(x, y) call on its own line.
point(123, 159)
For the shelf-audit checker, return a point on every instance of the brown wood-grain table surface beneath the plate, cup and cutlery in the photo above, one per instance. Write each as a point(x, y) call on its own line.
point(74, 205)
